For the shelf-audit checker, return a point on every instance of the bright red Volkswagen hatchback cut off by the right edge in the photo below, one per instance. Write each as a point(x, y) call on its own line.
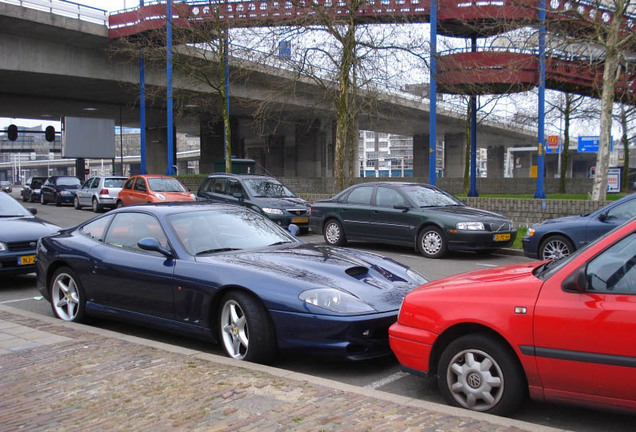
point(559, 331)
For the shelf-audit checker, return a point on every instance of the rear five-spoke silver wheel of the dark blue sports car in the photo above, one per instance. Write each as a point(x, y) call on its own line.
point(67, 296)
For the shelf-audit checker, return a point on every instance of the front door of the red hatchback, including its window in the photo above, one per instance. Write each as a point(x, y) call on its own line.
point(584, 341)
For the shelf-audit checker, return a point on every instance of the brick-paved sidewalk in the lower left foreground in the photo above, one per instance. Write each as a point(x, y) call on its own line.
point(56, 376)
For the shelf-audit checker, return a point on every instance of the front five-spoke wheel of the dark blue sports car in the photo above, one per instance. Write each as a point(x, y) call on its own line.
point(245, 331)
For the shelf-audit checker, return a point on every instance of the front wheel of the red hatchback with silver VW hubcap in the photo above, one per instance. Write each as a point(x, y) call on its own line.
point(491, 382)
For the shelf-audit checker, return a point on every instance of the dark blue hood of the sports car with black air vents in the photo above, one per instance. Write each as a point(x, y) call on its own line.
point(378, 281)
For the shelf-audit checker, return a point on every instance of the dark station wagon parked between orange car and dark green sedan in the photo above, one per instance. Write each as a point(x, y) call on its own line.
point(264, 194)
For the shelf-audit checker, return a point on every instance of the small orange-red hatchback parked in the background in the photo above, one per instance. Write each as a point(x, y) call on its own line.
point(151, 188)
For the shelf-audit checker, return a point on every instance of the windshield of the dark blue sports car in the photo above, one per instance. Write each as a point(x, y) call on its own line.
point(209, 231)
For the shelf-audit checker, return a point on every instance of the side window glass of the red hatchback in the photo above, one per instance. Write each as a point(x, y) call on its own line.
point(614, 270)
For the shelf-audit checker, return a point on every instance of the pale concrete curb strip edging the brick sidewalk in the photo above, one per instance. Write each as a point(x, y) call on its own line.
point(295, 376)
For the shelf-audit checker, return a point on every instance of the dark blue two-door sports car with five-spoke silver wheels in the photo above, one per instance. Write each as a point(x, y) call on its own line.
point(226, 273)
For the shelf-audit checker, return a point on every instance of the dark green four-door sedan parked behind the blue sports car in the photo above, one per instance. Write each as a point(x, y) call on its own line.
point(422, 216)
